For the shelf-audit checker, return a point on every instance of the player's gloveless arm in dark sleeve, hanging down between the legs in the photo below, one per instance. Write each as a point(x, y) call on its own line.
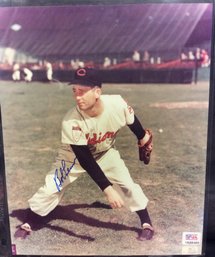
point(89, 164)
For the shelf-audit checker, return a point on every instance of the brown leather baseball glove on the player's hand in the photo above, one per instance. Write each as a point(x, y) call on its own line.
point(145, 151)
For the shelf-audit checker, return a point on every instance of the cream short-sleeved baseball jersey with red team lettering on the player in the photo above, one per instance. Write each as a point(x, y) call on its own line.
point(98, 132)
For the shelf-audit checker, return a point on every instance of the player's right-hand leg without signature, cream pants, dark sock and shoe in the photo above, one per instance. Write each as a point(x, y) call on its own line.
point(134, 198)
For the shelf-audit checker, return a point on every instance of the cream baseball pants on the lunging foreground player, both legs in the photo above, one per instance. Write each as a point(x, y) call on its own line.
point(66, 170)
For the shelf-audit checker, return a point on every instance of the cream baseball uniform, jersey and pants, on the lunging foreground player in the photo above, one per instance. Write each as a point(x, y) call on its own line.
point(99, 134)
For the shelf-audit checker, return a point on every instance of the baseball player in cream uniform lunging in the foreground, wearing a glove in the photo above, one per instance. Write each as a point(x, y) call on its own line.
point(88, 136)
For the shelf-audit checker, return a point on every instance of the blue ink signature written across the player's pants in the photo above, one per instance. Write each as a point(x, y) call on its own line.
point(62, 173)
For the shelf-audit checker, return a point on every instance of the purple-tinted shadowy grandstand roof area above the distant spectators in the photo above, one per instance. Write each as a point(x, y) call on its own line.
point(98, 29)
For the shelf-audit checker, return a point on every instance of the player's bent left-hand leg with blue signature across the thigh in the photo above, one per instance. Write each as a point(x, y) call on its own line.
point(64, 171)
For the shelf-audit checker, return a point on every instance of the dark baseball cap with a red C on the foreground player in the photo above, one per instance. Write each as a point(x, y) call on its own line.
point(86, 77)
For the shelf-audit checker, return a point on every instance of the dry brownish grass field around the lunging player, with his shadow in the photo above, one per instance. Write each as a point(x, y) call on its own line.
point(83, 224)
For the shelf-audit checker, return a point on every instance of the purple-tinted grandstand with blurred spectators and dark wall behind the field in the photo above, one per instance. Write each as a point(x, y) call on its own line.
point(67, 36)
